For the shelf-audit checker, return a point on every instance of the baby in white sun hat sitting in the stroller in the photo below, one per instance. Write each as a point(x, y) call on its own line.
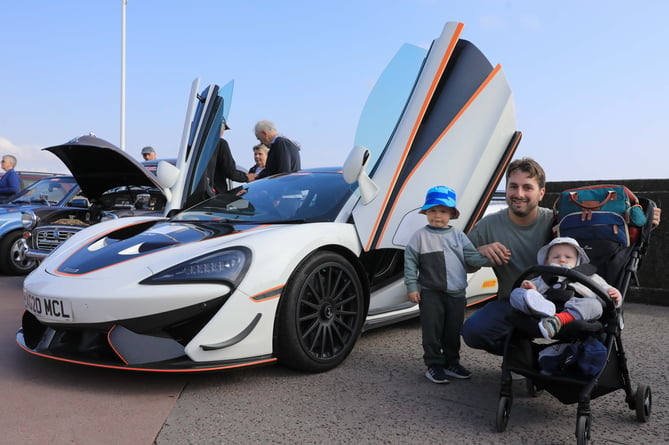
point(531, 299)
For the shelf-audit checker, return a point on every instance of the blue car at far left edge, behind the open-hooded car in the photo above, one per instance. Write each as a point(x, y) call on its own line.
point(50, 193)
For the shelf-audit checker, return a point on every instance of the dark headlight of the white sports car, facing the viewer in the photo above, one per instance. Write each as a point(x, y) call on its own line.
point(229, 266)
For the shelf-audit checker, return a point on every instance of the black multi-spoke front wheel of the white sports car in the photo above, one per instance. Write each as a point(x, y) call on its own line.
point(320, 315)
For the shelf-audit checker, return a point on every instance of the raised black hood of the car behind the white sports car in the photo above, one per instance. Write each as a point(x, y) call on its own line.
point(98, 166)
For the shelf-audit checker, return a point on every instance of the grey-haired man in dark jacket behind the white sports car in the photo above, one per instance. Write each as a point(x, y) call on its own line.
point(284, 154)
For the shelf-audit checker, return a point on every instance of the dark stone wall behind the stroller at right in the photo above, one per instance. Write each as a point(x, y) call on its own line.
point(653, 285)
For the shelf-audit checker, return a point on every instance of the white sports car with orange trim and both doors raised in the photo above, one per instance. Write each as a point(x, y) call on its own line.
point(289, 268)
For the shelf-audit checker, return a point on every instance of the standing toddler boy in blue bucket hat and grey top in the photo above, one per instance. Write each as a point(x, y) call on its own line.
point(435, 276)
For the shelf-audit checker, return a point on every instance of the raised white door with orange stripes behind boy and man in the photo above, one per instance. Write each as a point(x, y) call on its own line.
point(457, 129)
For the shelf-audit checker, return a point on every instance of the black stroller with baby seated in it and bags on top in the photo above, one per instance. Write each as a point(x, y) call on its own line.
point(584, 358)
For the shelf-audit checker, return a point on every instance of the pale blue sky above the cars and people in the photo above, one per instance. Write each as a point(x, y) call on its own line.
point(588, 77)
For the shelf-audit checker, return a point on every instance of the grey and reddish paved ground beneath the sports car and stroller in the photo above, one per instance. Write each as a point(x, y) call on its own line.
point(378, 396)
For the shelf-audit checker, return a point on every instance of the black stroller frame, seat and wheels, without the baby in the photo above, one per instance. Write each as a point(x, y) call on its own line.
point(618, 264)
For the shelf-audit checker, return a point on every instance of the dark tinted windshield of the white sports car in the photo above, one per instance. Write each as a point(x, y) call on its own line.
point(291, 198)
